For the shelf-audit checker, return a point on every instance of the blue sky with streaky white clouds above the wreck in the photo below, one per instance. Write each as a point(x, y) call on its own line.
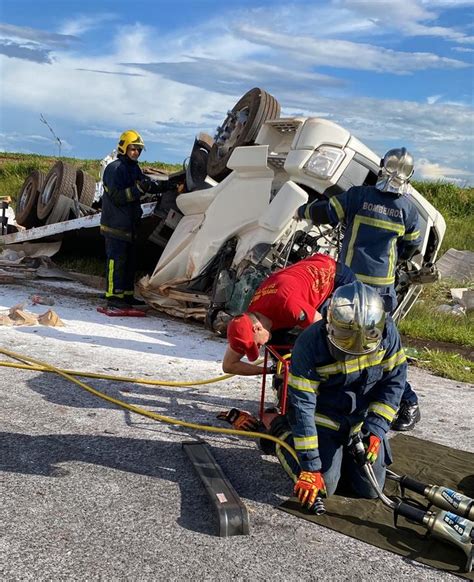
point(393, 72)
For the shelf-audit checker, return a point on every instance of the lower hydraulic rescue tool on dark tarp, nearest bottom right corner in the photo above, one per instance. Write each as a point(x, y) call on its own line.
point(444, 525)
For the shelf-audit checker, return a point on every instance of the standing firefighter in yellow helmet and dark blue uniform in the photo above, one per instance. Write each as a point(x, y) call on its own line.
point(124, 185)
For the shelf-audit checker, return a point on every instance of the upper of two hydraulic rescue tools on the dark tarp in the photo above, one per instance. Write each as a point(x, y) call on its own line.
point(441, 497)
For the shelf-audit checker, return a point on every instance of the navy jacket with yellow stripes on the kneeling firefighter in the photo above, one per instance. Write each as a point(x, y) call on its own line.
point(344, 396)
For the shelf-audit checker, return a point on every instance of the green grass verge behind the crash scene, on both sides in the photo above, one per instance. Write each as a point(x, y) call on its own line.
point(423, 323)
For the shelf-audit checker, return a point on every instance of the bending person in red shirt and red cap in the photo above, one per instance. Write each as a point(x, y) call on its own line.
point(287, 299)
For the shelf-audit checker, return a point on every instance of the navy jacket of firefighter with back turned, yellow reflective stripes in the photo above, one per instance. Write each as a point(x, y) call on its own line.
point(380, 227)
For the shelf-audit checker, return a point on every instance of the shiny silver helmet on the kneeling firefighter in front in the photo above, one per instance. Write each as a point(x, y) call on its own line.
point(356, 319)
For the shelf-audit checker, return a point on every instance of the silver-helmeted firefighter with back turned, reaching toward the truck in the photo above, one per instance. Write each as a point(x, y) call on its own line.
point(381, 228)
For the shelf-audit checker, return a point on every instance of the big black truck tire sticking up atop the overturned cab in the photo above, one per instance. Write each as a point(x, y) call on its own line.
point(239, 128)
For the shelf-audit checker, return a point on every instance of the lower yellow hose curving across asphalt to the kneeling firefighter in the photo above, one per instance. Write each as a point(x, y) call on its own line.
point(153, 415)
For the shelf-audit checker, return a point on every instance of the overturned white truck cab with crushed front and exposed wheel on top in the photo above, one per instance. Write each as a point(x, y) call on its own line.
point(229, 234)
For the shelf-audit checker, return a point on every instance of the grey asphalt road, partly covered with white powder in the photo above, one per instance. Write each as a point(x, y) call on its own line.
point(92, 492)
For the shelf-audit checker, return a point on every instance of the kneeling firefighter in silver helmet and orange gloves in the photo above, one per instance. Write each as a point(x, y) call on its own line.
point(347, 377)
